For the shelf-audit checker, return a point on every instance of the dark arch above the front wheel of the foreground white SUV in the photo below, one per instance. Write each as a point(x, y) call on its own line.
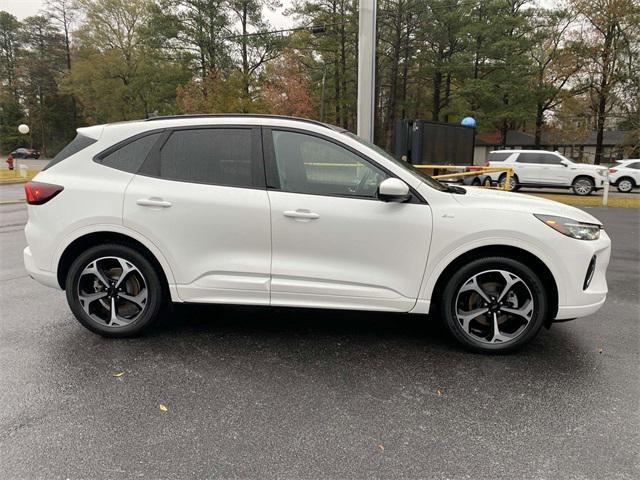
point(509, 251)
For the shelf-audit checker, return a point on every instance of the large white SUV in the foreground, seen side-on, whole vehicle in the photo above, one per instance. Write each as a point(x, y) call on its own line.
point(265, 210)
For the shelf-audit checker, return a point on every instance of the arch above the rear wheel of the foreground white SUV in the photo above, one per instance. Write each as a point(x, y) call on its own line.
point(90, 239)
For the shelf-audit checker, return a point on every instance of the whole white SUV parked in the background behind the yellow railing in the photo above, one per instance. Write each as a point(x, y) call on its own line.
point(542, 169)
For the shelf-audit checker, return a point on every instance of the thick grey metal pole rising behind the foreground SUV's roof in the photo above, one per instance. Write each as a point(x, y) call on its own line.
point(366, 68)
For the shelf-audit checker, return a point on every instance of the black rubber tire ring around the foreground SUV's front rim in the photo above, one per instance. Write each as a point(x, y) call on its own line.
point(447, 306)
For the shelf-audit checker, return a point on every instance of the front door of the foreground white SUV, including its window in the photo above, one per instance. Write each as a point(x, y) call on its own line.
point(334, 243)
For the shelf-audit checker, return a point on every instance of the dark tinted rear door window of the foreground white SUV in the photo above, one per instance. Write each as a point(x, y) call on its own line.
point(217, 156)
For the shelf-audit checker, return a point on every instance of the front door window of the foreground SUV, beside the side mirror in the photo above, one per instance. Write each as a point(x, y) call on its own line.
point(308, 164)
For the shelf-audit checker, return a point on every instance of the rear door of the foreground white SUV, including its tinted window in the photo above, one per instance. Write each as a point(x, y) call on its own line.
point(200, 198)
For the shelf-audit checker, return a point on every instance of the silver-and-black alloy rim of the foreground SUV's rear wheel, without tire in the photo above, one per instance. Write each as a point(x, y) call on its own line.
point(112, 291)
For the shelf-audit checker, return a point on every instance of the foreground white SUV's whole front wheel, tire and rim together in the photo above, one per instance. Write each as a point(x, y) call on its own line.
point(526, 296)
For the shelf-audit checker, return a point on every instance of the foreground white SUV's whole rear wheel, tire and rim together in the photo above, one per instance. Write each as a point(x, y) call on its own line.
point(92, 290)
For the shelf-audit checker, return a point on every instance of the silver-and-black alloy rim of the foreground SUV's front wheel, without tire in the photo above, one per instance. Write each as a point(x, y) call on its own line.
point(494, 306)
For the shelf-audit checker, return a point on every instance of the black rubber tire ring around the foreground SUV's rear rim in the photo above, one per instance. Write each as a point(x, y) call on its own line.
point(154, 289)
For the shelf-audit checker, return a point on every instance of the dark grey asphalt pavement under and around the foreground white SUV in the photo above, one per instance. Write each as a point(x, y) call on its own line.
point(306, 394)
